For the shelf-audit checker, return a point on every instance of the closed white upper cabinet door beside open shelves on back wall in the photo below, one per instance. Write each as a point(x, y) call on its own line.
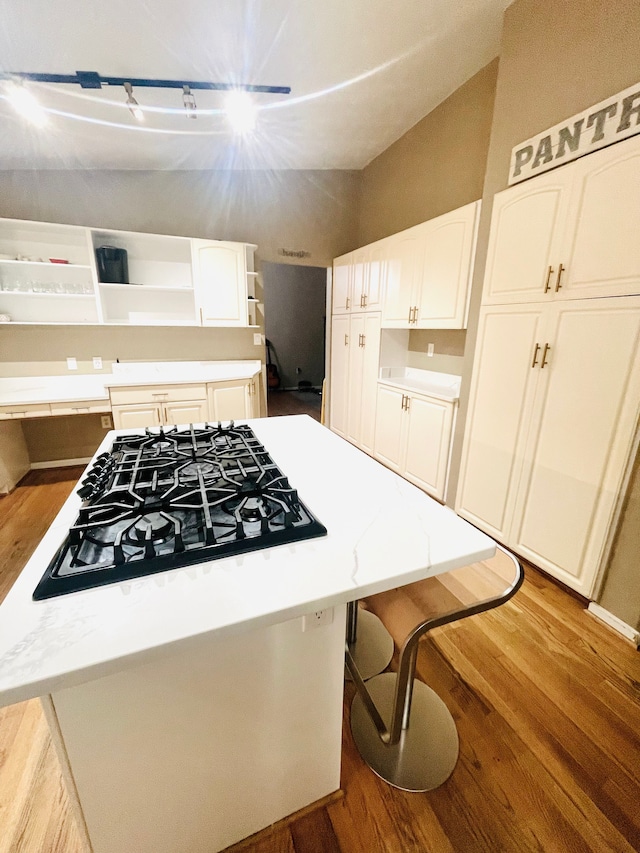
point(221, 283)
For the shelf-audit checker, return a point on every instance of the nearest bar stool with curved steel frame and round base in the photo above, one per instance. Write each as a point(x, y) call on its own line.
point(402, 729)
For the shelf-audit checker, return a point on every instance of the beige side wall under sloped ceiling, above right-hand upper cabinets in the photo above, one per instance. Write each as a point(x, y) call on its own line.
point(435, 167)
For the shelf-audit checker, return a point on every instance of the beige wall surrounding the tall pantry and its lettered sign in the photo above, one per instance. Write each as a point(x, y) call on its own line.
point(557, 59)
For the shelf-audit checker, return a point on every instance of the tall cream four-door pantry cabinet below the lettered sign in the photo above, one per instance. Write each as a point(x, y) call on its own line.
point(555, 393)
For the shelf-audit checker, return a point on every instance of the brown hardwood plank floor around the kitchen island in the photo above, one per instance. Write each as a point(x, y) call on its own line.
point(546, 700)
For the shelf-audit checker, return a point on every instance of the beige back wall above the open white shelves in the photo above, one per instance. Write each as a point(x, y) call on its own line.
point(299, 211)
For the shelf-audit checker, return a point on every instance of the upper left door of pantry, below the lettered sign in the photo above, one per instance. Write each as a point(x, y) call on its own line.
point(527, 226)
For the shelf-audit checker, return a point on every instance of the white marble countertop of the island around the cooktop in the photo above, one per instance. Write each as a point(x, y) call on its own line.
point(382, 532)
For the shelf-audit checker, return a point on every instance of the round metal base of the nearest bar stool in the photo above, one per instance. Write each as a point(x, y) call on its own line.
point(427, 751)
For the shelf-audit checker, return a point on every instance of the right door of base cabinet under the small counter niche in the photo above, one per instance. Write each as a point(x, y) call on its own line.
point(427, 444)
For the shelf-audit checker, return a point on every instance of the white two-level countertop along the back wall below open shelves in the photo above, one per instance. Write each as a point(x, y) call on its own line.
point(26, 390)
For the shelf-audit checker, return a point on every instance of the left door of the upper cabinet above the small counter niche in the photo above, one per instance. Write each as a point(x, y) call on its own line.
point(403, 264)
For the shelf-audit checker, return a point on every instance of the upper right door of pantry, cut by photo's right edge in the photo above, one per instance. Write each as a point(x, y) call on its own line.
point(602, 255)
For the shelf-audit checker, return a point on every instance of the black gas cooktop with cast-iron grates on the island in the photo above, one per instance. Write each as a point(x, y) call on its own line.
point(170, 497)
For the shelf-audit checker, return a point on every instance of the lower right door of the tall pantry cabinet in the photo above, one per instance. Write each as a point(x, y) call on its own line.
point(581, 433)
